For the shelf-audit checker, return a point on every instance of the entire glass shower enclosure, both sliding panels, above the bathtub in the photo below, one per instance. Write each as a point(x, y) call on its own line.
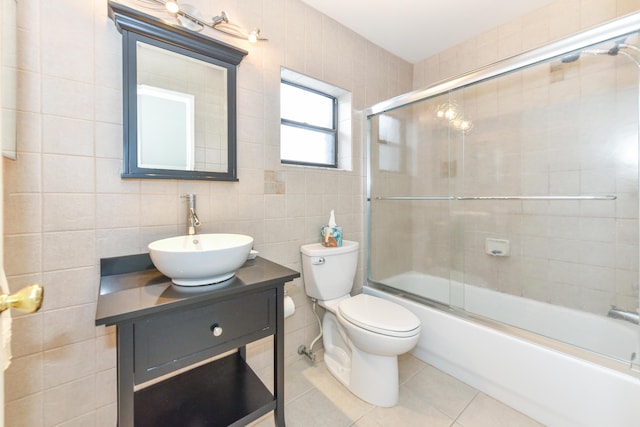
point(516, 198)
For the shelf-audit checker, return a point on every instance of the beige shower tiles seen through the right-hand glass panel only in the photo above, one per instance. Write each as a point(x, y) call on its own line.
point(559, 129)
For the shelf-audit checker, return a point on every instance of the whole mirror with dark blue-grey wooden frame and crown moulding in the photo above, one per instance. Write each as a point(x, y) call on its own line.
point(179, 100)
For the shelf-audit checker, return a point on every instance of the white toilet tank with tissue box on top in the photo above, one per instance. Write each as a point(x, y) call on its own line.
point(328, 273)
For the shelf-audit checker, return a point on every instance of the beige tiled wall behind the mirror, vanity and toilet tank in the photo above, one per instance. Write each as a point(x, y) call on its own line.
point(66, 205)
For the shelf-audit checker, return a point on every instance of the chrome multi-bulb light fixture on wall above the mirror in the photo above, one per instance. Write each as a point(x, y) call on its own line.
point(189, 17)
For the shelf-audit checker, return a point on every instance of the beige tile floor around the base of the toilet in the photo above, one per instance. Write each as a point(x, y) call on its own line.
point(428, 397)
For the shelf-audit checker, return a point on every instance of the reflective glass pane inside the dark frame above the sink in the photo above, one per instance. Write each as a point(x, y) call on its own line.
point(182, 112)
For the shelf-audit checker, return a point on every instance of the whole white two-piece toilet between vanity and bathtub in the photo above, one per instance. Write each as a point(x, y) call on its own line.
point(362, 335)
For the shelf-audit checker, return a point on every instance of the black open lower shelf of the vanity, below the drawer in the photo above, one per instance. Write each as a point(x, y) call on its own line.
point(225, 392)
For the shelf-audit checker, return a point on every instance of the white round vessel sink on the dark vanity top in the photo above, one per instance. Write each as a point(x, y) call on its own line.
point(201, 259)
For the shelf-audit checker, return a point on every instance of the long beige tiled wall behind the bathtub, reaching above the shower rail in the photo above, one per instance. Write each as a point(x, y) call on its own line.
point(552, 129)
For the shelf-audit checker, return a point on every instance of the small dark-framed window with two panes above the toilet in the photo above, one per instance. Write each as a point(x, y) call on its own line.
point(308, 126)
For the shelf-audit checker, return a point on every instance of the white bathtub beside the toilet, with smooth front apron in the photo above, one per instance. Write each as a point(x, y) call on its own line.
point(552, 382)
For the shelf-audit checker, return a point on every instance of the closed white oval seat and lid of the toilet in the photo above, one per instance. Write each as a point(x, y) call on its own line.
point(379, 316)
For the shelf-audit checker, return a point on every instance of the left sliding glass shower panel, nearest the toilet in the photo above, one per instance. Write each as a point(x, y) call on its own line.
point(411, 199)
